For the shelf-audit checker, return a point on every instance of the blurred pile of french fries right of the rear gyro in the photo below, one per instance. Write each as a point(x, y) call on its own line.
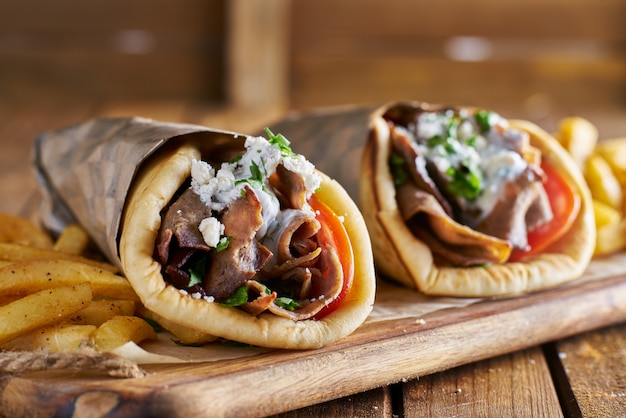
point(603, 164)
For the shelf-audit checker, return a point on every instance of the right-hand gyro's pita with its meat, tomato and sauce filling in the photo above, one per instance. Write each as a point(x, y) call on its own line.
point(463, 202)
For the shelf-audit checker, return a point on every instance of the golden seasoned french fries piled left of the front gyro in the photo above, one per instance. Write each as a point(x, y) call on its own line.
point(55, 296)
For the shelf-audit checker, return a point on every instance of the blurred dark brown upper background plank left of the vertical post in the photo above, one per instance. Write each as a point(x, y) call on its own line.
point(112, 49)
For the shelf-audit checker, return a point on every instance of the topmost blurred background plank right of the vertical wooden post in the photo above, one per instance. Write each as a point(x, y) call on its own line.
point(533, 19)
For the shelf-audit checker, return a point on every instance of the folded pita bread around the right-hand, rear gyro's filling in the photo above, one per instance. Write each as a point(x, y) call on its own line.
point(401, 256)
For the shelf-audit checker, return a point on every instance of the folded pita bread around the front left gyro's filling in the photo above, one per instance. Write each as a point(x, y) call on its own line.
point(157, 182)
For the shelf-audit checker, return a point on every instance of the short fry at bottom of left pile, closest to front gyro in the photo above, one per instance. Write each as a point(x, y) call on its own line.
point(120, 330)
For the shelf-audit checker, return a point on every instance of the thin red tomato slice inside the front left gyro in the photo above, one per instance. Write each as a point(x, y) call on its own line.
point(333, 233)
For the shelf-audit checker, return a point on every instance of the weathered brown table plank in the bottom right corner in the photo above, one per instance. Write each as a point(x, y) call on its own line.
point(595, 366)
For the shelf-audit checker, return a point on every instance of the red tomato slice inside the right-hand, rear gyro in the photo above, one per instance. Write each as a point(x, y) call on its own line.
point(565, 203)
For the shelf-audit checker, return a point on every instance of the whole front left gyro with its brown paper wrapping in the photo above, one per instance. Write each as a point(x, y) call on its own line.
point(234, 236)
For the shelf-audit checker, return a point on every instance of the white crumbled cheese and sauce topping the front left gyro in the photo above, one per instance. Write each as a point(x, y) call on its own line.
point(218, 188)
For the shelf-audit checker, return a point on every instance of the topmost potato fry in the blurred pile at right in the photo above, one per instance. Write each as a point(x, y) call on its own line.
point(579, 137)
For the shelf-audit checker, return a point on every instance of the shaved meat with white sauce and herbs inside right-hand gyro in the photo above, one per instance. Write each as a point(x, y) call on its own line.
point(484, 178)
